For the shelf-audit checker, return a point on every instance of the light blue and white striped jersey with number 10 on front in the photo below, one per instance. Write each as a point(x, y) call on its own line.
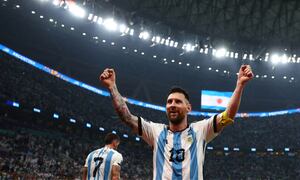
point(178, 155)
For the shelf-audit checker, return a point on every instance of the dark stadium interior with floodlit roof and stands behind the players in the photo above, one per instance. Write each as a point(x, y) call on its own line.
point(48, 125)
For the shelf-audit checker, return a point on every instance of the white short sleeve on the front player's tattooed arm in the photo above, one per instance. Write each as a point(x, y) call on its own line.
point(149, 130)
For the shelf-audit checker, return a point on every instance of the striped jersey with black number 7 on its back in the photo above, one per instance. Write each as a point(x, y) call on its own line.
point(99, 163)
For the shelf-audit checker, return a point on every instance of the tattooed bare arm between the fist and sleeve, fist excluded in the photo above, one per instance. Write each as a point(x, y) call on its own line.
point(122, 109)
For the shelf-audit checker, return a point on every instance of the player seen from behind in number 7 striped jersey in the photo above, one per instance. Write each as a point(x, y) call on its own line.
point(104, 163)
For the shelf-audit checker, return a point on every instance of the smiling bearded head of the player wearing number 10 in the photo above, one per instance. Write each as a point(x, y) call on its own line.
point(178, 105)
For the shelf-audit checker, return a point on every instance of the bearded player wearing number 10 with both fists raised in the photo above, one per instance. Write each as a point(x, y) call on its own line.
point(178, 148)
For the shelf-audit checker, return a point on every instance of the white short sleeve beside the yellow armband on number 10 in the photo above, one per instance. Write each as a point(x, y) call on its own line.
point(206, 128)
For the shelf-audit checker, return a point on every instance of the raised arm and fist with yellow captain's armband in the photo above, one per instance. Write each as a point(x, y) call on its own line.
point(245, 74)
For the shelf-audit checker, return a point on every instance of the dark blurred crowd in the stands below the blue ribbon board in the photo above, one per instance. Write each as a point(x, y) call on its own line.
point(39, 147)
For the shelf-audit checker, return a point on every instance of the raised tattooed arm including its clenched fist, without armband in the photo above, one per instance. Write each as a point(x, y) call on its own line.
point(108, 79)
